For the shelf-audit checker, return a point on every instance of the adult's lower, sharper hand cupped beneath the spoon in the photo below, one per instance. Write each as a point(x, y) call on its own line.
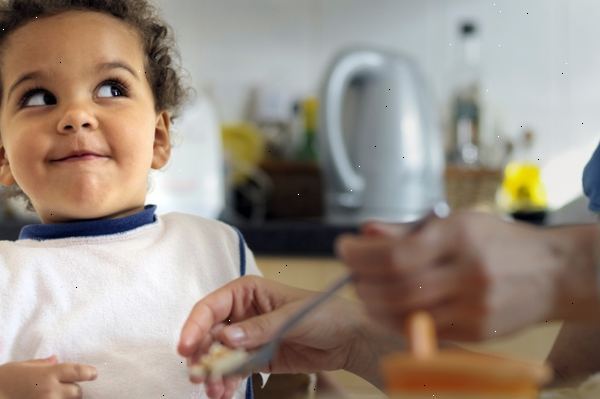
point(255, 308)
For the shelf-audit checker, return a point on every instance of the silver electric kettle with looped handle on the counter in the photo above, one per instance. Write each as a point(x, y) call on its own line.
point(380, 147)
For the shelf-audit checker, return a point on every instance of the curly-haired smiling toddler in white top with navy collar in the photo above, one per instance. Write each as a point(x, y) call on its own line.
point(92, 300)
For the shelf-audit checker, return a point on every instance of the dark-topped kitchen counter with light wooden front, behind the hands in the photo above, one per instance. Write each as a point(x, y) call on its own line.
point(308, 263)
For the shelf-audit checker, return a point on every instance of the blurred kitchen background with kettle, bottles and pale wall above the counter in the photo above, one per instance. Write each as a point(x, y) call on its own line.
point(505, 97)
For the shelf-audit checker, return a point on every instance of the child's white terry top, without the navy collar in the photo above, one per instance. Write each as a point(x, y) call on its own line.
point(117, 301)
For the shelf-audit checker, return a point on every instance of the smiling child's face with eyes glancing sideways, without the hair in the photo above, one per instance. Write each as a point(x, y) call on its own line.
point(77, 120)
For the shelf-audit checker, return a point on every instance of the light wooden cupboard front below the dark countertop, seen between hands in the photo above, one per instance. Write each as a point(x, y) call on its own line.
point(317, 273)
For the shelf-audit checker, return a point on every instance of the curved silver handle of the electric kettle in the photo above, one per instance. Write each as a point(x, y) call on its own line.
point(342, 72)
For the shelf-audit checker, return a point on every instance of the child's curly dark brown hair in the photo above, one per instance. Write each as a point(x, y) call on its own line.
point(164, 72)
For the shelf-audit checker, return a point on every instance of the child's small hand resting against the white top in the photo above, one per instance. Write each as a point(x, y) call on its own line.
point(43, 378)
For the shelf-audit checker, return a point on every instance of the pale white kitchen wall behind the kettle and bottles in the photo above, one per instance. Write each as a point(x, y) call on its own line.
point(540, 58)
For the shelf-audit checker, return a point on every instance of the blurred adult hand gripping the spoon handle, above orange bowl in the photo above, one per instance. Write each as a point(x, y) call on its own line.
point(477, 275)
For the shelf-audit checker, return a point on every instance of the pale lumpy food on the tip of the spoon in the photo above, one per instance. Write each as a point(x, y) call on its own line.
point(220, 360)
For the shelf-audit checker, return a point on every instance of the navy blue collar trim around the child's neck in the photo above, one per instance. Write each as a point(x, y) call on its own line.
point(88, 228)
